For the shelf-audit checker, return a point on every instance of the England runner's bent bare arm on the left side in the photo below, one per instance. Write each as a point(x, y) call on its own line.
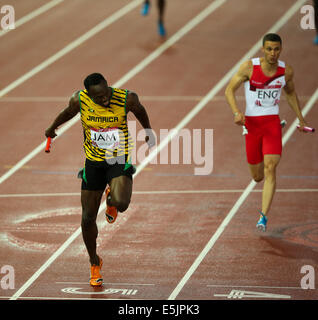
point(241, 76)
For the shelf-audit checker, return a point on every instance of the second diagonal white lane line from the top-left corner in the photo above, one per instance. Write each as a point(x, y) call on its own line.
point(71, 46)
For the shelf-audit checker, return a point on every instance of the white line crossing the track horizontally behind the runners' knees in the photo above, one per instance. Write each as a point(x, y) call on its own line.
point(154, 192)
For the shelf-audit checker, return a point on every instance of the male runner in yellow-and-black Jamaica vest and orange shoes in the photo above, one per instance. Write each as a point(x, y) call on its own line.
point(107, 145)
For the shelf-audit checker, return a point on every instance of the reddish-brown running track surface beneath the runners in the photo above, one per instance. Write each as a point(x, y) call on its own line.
point(153, 249)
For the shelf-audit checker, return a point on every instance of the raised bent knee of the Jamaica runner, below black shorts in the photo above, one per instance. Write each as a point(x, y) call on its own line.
point(120, 193)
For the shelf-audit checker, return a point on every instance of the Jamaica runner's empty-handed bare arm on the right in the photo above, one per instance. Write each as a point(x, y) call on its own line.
point(133, 104)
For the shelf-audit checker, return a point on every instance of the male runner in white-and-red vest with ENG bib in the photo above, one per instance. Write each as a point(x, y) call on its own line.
point(264, 78)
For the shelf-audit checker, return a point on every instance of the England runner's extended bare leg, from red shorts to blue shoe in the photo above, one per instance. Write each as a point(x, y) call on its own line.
point(270, 164)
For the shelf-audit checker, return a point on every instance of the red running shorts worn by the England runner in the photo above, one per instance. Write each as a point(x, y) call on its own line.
point(264, 137)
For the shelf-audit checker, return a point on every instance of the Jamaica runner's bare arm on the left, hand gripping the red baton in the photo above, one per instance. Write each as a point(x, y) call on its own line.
point(65, 115)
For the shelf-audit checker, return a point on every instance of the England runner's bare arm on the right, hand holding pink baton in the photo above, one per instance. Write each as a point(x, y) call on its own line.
point(291, 96)
